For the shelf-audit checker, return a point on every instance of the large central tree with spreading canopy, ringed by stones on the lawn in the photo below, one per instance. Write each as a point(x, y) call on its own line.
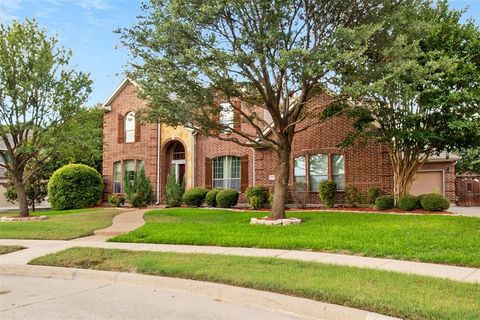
point(264, 59)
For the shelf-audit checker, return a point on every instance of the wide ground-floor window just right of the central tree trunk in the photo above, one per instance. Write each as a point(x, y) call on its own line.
point(315, 168)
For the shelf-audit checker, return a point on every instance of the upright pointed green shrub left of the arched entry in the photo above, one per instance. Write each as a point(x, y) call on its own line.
point(139, 191)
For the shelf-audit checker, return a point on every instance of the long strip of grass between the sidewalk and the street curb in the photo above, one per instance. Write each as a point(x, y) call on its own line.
point(390, 293)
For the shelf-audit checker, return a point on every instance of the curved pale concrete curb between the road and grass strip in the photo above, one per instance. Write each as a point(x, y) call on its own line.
point(255, 298)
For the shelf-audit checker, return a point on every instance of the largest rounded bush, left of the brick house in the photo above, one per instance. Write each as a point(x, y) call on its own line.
point(74, 186)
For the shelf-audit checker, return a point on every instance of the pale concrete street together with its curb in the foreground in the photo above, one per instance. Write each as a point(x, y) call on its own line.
point(91, 294)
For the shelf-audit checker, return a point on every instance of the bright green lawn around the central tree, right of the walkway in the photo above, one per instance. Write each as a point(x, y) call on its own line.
point(439, 239)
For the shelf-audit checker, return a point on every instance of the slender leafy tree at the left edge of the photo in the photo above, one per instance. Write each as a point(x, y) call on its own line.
point(39, 92)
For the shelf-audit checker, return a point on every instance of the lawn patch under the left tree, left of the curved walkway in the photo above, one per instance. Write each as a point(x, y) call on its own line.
point(60, 225)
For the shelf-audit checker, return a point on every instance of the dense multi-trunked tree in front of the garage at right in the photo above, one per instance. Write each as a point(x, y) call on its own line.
point(414, 84)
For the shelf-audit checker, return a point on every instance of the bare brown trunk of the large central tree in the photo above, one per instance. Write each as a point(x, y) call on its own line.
point(282, 176)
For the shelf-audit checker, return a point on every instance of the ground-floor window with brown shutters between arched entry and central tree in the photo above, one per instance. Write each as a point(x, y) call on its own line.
point(226, 173)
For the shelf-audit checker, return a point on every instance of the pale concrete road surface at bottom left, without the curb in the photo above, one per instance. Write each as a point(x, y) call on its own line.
point(27, 297)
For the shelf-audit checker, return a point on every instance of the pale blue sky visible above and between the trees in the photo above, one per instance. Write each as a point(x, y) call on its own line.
point(86, 27)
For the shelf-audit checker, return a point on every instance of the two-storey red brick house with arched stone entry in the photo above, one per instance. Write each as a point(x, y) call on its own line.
point(209, 162)
